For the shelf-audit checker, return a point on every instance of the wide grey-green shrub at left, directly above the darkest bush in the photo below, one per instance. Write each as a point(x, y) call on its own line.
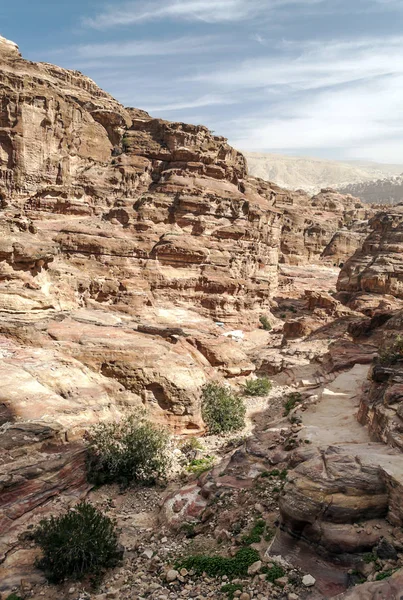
point(131, 450)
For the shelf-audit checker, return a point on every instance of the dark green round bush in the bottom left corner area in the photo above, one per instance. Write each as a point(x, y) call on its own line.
point(81, 542)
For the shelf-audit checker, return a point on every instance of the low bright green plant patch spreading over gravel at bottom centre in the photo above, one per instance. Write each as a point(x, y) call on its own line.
point(217, 566)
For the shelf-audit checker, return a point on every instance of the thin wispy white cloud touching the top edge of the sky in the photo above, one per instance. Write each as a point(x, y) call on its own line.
point(210, 11)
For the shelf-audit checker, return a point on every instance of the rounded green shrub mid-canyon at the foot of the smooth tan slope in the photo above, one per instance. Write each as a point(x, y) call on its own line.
point(222, 410)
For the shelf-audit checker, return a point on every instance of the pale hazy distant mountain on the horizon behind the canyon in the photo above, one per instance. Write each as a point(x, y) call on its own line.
point(372, 182)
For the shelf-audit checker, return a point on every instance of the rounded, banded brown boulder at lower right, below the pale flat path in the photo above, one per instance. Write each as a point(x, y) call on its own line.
point(336, 487)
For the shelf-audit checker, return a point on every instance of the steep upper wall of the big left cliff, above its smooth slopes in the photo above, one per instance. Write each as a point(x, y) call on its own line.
point(160, 205)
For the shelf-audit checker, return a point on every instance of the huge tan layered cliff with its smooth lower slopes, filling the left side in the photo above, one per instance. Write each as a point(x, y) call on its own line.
point(122, 239)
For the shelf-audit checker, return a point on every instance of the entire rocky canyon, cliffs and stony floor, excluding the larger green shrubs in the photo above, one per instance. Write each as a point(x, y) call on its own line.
point(139, 261)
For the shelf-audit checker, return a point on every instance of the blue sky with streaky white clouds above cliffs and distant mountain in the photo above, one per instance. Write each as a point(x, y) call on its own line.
point(300, 77)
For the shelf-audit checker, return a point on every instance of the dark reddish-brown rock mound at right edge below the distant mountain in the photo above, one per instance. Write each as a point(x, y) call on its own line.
point(376, 269)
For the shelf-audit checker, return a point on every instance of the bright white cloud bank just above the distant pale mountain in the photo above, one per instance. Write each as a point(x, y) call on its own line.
point(363, 121)
